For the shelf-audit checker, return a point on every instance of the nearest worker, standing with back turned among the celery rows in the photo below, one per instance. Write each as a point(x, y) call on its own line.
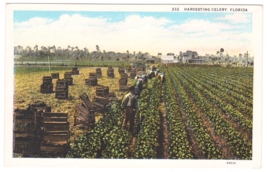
point(129, 103)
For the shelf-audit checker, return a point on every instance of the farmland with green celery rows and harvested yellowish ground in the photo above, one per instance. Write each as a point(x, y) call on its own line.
point(199, 112)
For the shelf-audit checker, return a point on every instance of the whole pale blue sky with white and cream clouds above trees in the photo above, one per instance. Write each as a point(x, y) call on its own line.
point(152, 32)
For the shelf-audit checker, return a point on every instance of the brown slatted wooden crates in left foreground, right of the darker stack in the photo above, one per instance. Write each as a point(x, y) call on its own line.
point(55, 137)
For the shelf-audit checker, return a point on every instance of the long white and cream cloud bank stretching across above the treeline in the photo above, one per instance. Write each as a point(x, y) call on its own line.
point(135, 33)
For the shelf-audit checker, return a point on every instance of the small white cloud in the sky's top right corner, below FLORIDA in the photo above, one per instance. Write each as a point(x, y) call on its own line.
point(236, 18)
